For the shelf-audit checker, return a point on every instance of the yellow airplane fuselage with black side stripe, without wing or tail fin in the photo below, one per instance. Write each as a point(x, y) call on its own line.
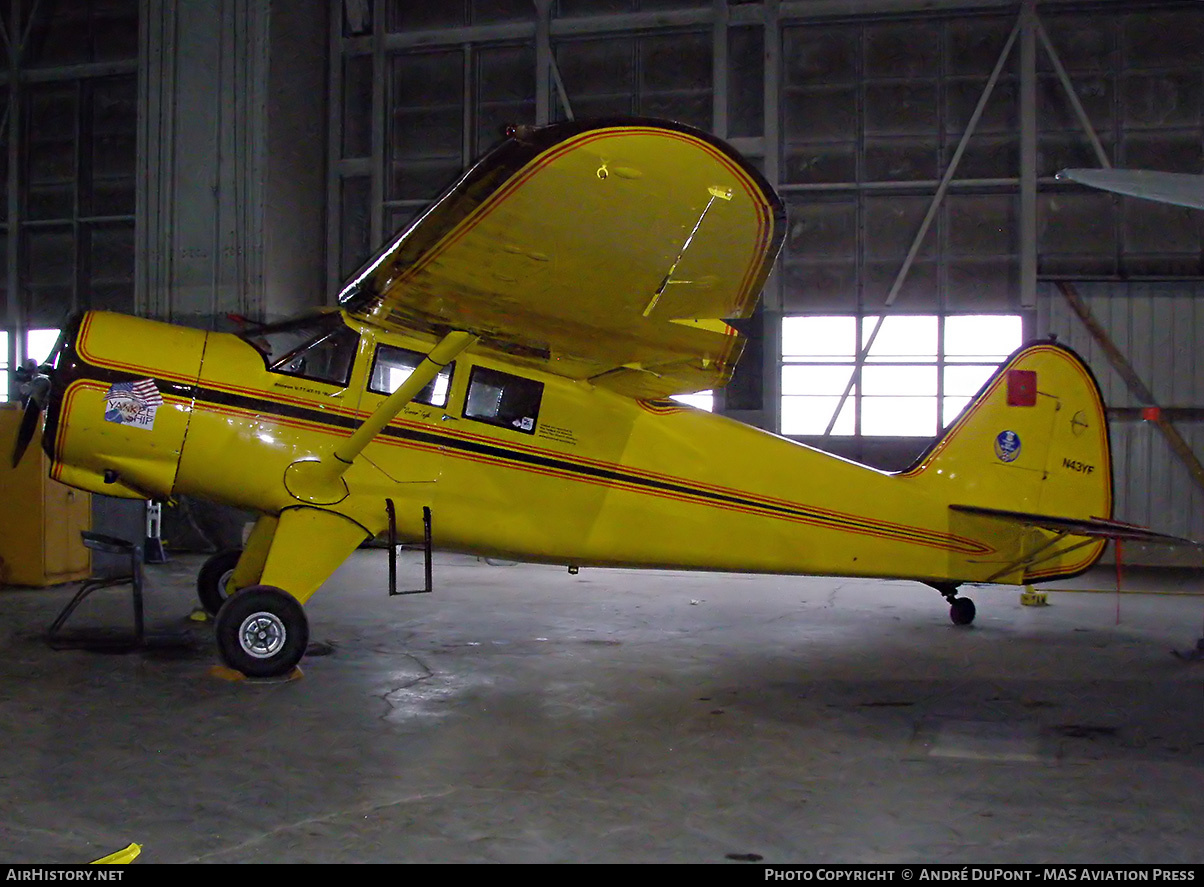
point(512, 462)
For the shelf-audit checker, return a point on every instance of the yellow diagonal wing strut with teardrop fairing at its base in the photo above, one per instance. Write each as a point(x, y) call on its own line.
point(321, 482)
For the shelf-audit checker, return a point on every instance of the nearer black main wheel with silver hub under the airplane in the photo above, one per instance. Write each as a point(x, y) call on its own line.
point(262, 631)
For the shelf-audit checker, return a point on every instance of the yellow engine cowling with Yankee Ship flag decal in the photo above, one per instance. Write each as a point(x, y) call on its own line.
point(119, 401)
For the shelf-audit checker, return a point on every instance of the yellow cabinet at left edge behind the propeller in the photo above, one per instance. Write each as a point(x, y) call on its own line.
point(40, 519)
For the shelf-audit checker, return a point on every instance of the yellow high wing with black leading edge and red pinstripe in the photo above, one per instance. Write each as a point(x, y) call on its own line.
point(610, 251)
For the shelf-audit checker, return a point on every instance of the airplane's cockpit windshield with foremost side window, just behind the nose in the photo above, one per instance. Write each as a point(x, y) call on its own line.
point(321, 348)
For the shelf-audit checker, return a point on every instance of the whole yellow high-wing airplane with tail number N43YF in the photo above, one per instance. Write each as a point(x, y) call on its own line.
point(495, 381)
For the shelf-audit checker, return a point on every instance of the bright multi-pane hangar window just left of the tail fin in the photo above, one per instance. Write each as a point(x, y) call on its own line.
point(911, 380)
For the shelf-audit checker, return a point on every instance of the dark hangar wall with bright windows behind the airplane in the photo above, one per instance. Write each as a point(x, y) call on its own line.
point(190, 162)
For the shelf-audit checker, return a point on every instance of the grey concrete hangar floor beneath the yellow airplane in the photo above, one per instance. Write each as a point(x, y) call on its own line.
point(522, 714)
